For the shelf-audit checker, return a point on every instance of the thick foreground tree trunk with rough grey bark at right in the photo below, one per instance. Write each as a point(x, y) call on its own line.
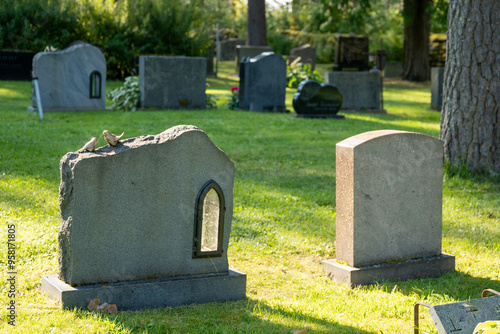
point(471, 93)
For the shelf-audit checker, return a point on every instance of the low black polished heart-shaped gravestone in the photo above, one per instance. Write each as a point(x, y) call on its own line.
point(317, 100)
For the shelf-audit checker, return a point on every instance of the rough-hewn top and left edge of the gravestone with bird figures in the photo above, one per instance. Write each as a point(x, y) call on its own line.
point(71, 159)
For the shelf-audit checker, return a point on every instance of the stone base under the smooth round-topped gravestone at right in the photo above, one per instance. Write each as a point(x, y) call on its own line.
point(426, 267)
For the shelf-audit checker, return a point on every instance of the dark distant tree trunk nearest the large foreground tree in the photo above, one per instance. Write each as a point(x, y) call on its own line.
point(416, 44)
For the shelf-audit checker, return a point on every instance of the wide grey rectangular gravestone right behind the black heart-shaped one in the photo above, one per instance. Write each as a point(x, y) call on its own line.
point(360, 90)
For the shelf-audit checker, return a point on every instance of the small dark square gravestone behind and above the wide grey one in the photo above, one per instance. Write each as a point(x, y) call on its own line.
point(351, 53)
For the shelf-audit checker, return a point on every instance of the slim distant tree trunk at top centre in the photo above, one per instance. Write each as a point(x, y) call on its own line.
point(256, 23)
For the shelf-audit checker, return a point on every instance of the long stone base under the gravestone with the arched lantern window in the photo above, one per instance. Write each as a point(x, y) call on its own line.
point(155, 293)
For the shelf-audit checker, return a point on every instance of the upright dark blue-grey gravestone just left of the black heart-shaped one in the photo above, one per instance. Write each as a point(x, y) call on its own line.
point(263, 83)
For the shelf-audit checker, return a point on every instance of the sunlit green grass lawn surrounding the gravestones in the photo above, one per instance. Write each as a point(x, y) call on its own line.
point(283, 226)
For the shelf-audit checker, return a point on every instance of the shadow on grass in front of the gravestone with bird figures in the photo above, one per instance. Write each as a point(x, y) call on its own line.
point(245, 316)
